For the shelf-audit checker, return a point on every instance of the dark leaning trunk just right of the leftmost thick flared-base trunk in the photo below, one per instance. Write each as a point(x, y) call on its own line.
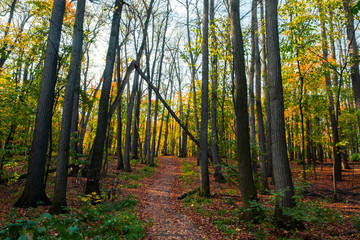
point(59, 200)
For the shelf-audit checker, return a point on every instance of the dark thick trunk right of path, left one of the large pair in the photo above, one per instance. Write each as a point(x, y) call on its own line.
point(247, 186)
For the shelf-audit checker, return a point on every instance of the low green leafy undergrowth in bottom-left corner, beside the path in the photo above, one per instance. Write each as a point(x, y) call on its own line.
point(104, 221)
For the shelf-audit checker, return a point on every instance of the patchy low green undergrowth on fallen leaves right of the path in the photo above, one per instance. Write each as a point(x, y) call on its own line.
point(226, 215)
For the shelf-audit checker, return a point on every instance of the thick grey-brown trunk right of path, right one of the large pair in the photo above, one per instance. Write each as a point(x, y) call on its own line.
point(281, 167)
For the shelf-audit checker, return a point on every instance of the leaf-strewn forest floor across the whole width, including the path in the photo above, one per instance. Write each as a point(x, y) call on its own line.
point(216, 217)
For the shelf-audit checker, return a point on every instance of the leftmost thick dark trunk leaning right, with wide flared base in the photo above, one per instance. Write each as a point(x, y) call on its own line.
point(34, 191)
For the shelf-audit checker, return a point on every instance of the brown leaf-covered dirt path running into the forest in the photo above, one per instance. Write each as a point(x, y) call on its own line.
point(167, 223)
